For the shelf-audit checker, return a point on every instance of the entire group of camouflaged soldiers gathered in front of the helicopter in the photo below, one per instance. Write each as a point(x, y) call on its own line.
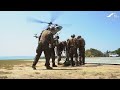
point(73, 48)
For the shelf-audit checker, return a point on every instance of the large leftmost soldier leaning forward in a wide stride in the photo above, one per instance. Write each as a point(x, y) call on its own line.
point(45, 38)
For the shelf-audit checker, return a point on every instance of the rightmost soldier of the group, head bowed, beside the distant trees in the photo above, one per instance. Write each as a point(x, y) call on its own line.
point(81, 47)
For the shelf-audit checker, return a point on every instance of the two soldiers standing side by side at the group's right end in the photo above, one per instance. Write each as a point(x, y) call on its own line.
point(75, 48)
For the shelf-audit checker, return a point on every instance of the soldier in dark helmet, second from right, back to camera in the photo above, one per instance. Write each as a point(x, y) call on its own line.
point(72, 49)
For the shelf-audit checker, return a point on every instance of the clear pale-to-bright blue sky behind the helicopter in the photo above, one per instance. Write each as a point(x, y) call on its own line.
point(100, 29)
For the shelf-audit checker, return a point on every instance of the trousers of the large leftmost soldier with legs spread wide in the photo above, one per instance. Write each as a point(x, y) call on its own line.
point(39, 50)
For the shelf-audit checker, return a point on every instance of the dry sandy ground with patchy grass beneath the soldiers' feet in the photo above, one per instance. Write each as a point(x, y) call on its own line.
point(21, 69)
